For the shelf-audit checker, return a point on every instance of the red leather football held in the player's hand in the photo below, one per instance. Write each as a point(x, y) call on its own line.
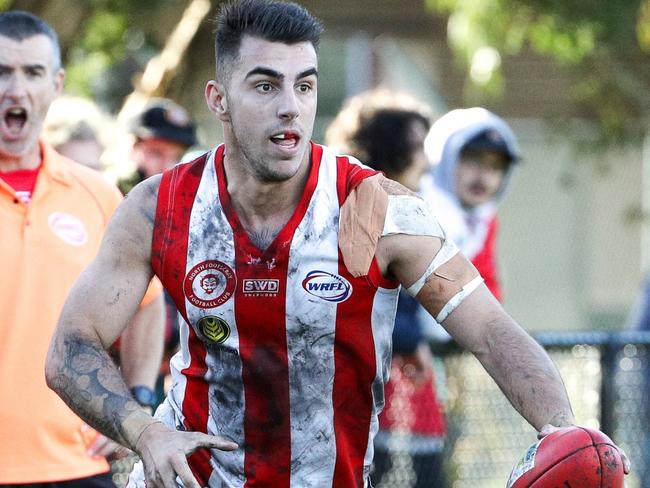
point(573, 457)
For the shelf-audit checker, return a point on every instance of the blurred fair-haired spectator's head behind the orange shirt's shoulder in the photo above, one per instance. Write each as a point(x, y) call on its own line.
point(76, 128)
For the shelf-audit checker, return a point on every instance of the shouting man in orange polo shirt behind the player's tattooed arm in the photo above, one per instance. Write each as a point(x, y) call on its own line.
point(52, 216)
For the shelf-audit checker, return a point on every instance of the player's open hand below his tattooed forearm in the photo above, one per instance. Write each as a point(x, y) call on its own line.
point(164, 454)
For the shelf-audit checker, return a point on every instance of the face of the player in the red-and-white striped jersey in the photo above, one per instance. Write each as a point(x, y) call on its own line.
point(268, 106)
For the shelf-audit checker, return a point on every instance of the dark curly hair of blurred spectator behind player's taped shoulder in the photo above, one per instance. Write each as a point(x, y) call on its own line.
point(384, 139)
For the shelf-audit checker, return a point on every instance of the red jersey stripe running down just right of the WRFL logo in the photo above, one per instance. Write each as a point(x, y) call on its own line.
point(355, 370)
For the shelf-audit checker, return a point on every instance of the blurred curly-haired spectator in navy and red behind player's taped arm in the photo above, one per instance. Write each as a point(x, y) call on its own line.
point(387, 131)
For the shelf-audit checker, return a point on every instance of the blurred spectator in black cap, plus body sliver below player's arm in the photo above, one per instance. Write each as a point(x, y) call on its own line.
point(163, 133)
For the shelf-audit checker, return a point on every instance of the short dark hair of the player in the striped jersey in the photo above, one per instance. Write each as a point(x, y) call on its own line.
point(270, 20)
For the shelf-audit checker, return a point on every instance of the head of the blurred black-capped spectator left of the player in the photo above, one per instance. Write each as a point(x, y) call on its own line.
point(163, 133)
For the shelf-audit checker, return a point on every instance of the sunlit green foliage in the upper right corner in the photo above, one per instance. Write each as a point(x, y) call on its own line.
point(584, 36)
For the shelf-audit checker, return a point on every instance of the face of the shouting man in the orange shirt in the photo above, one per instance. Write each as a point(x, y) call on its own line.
point(29, 82)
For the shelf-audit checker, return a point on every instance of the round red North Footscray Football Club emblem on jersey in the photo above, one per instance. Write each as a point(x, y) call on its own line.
point(210, 284)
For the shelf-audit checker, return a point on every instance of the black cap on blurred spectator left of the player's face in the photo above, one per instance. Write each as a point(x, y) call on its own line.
point(166, 120)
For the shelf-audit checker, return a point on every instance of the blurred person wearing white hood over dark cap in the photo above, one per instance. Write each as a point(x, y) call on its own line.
point(472, 152)
